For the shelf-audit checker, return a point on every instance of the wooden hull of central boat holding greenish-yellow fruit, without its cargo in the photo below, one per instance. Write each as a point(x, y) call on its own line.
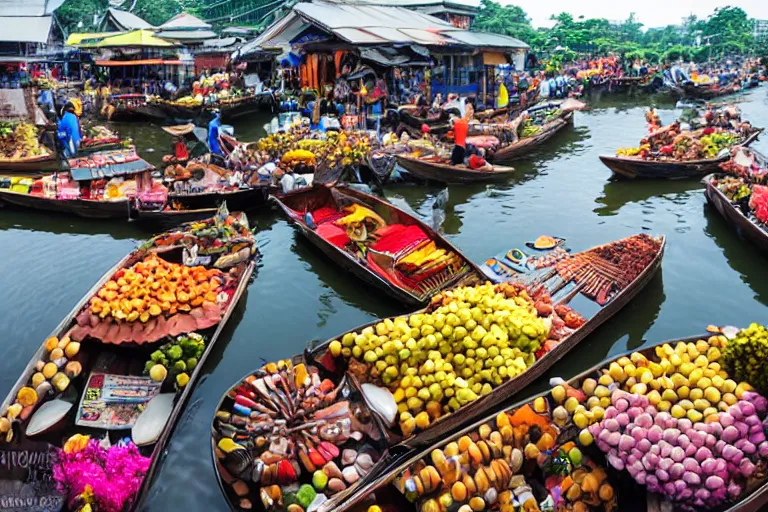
point(401, 445)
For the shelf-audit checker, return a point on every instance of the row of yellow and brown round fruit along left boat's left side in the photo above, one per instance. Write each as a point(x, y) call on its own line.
point(52, 376)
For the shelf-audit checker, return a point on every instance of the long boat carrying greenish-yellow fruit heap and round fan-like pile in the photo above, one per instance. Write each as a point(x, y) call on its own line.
point(310, 433)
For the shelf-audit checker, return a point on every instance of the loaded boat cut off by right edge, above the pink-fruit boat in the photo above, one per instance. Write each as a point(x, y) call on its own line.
point(740, 194)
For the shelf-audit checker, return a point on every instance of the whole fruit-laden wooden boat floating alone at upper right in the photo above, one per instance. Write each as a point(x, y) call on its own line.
point(679, 151)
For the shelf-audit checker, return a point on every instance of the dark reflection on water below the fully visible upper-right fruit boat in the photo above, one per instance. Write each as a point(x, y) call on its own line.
point(619, 192)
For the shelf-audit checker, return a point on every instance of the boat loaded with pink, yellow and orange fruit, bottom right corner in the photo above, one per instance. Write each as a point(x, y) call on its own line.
point(680, 423)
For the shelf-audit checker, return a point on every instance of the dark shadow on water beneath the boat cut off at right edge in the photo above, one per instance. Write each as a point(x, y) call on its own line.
point(741, 255)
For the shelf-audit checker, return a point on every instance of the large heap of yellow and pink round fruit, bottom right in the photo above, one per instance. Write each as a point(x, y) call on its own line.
point(678, 422)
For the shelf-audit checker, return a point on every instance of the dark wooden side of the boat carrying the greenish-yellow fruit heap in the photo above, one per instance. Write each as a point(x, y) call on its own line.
point(403, 448)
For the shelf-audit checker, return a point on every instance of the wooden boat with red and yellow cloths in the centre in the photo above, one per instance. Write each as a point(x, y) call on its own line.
point(378, 242)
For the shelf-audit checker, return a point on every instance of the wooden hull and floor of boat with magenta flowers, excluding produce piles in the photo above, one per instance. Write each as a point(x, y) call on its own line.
point(29, 480)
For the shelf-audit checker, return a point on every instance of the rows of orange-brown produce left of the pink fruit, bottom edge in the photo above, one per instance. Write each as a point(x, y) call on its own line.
point(518, 459)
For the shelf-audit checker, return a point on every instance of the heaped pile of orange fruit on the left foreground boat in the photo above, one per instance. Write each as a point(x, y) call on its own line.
point(154, 286)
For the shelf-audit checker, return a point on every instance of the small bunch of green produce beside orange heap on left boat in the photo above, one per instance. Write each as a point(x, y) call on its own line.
point(176, 359)
